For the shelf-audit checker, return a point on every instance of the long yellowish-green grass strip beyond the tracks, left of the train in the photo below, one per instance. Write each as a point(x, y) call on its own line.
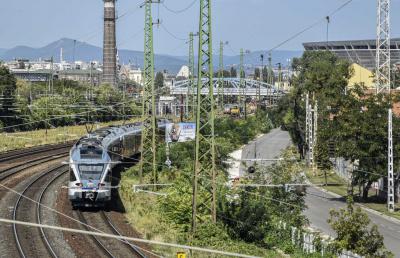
point(20, 140)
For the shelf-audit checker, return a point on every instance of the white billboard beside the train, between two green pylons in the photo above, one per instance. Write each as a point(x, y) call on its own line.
point(180, 132)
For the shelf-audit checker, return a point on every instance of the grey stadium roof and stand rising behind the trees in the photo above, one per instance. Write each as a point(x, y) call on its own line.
point(362, 52)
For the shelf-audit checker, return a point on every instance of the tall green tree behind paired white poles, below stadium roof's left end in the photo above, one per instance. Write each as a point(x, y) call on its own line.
point(324, 77)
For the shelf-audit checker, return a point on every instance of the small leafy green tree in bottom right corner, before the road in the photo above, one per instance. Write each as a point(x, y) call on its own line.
point(354, 233)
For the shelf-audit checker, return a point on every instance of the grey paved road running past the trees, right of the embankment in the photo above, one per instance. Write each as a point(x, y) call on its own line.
point(319, 203)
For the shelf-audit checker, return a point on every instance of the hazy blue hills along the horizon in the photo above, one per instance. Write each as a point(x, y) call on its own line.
point(86, 52)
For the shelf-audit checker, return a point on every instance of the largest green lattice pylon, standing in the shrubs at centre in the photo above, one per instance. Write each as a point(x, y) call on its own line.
point(204, 166)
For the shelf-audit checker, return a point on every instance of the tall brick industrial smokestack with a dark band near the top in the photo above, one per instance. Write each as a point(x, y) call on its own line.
point(109, 44)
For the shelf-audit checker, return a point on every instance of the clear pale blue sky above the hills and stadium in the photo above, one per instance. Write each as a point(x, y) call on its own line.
point(251, 24)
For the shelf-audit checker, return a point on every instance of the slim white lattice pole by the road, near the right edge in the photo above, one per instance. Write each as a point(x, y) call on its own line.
point(390, 163)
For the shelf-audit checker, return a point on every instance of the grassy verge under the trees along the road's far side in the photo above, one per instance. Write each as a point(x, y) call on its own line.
point(338, 186)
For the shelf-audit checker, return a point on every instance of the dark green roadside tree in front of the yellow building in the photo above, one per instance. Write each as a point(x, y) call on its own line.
point(362, 140)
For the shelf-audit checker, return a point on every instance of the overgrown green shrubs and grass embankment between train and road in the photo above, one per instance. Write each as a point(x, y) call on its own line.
point(247, 217)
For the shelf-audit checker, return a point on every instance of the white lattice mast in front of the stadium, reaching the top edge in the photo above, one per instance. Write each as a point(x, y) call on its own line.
point(383, 65)
